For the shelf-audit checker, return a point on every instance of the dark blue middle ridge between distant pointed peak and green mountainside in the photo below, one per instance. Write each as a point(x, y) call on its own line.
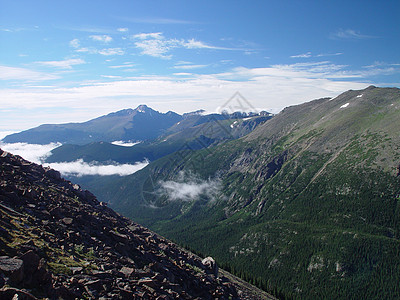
point(194, 132)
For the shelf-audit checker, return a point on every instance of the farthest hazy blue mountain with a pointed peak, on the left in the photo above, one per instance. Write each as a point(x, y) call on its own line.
point(142, 123)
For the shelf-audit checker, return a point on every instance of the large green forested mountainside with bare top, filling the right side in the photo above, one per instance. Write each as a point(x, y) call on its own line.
point(305, 206)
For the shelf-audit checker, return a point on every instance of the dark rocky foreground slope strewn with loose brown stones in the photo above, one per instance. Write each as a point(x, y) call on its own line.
point(58, 241)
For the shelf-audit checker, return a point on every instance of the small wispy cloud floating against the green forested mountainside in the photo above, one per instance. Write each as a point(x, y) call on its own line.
point(188, 187)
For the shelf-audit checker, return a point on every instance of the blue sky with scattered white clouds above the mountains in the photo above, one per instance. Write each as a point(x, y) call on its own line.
point(70, 61)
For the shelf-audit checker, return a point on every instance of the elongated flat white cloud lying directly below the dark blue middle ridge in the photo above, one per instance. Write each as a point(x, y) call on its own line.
point(81, 168)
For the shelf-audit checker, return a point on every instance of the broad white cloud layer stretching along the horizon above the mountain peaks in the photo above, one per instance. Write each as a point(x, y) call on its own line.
point(271, 88)
